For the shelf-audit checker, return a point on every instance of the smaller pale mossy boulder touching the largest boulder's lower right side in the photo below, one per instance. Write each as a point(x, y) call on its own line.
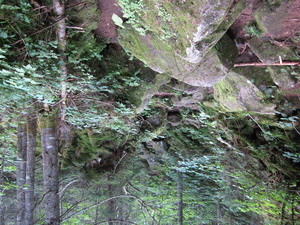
point(235, 93)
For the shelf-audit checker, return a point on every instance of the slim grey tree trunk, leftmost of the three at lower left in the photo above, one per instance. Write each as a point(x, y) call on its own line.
point(21, 173)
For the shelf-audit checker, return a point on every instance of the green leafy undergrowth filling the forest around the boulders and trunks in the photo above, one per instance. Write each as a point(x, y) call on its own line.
point(235, 167)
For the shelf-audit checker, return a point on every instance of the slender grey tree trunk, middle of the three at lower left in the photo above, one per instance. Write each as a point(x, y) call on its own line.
point(30, 169)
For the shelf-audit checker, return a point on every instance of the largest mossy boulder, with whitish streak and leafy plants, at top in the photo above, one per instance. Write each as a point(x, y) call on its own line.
point(180, 39)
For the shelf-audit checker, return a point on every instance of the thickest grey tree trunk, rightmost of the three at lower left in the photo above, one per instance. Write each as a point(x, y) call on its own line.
point(50, 171)
